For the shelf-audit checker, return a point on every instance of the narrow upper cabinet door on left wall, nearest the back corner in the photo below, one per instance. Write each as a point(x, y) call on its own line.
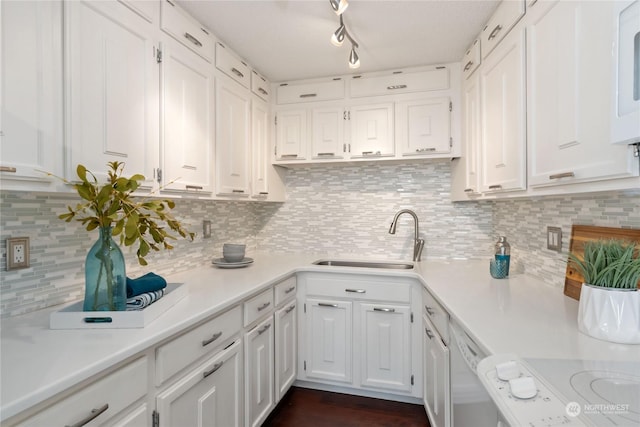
point(260, 148)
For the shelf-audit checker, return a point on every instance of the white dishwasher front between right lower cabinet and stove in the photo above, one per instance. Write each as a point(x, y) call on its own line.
point(471, 403)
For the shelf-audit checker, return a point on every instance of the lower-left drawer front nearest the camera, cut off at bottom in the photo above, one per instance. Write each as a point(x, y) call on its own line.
point(101, 400)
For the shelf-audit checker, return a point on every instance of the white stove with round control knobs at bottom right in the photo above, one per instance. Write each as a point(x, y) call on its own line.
point(552, 392)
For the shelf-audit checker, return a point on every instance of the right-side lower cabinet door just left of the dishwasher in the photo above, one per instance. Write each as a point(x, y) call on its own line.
point(437, 394)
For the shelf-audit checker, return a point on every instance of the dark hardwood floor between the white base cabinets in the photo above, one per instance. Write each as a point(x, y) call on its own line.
point(313, 408)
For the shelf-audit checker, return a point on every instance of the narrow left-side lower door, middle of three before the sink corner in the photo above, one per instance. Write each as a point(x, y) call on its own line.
point(259, 378)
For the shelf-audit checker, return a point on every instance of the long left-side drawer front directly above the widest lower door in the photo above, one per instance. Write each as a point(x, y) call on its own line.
point(186, 349)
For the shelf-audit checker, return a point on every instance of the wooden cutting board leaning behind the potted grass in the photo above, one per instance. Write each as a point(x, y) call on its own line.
point(580, 234)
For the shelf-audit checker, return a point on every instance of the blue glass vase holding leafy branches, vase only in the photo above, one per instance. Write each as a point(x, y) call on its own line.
point(105, 276)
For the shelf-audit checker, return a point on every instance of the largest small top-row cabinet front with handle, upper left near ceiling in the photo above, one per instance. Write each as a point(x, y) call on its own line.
point(177, 23)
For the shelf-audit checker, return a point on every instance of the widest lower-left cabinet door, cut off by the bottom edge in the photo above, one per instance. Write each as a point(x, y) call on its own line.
point(207, 396)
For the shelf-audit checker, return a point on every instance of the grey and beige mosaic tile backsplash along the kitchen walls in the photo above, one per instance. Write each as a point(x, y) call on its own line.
point(329, 210)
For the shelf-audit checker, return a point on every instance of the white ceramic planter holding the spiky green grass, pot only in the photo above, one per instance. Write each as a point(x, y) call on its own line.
point(610, 314)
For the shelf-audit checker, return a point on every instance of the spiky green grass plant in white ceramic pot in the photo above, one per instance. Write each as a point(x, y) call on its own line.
point(609, 299)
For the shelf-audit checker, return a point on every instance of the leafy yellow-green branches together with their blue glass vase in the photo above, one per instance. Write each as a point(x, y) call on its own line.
point(112, 208)
